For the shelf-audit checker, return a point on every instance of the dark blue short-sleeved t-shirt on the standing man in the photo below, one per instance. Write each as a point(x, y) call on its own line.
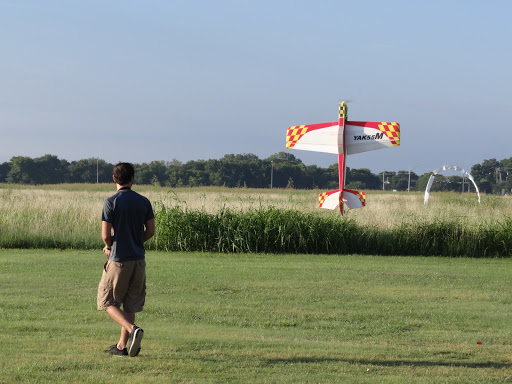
point(127, 211)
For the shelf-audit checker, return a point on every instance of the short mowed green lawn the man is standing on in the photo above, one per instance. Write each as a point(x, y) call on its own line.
point(250, 318)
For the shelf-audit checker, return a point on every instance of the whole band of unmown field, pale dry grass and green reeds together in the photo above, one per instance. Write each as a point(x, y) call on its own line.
point(268, 221)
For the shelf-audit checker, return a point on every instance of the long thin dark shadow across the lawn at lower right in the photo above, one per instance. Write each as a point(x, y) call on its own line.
point(387, 363)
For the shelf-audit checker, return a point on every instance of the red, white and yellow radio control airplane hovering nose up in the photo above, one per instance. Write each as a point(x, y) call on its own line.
point(343, 138)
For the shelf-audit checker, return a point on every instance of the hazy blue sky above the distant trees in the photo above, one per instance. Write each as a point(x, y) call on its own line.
point(155, 80)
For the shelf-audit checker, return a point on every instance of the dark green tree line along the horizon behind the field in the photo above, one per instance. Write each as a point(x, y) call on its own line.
point(281, 170)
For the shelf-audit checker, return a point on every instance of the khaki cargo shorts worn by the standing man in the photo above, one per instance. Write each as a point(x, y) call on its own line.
point(123, 283)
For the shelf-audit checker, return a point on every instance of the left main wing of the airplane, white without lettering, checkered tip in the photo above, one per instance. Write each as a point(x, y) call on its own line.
point(314, 137)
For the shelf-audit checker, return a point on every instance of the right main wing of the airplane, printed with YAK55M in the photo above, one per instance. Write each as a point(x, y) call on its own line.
point(364, 136)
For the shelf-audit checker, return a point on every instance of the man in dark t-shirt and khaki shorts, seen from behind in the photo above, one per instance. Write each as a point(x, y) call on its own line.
point(127, 222)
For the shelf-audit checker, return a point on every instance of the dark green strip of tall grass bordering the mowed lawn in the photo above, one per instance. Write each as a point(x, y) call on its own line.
point(272, 230)
